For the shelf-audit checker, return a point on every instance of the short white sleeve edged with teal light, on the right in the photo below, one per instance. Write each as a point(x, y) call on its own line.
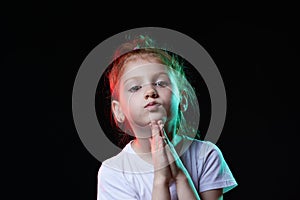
point(215, 172)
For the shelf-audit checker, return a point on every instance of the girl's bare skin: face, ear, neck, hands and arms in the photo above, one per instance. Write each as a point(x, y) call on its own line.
point(147, 123)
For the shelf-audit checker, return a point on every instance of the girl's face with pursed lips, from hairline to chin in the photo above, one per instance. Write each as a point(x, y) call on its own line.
point(145, 92)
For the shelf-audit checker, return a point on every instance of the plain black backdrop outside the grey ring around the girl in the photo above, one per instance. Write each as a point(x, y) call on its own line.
point(254, 49)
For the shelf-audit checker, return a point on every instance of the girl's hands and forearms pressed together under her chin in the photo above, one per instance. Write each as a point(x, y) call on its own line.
point(166, 169)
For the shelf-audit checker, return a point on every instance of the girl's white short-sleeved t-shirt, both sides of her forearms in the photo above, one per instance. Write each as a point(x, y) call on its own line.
point(127, 176)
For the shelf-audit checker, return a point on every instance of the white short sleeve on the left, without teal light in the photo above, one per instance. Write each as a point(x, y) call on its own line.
point(112, 185)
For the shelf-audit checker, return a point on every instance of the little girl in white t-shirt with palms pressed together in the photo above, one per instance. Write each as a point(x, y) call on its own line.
point(150, 95)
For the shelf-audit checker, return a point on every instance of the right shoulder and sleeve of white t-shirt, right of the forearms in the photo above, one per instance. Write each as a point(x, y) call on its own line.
point(205, 160)
